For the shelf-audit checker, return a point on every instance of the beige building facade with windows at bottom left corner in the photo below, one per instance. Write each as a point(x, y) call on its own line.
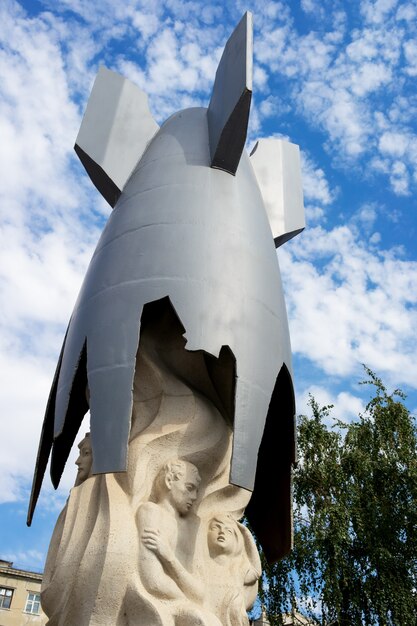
point(20, 596)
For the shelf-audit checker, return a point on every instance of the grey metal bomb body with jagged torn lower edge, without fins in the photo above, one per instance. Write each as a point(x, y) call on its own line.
point(201, 237)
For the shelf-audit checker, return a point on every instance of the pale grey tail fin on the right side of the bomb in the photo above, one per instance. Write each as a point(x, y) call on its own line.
point(278, 170)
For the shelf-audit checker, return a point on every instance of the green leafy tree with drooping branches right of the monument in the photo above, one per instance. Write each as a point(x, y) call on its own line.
point(355, 543)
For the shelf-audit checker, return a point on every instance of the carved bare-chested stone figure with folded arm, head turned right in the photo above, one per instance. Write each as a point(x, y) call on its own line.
point(166, 529)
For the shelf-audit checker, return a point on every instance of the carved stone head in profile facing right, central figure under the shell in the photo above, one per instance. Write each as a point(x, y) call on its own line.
point(177, 482)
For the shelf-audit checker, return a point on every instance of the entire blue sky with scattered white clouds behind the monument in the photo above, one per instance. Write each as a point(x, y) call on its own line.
point(336, 78)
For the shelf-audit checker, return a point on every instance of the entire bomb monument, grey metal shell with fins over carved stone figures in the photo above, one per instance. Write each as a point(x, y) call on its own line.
point(179, 347)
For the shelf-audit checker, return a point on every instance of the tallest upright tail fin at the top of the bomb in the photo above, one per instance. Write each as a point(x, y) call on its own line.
point(228, 111)
